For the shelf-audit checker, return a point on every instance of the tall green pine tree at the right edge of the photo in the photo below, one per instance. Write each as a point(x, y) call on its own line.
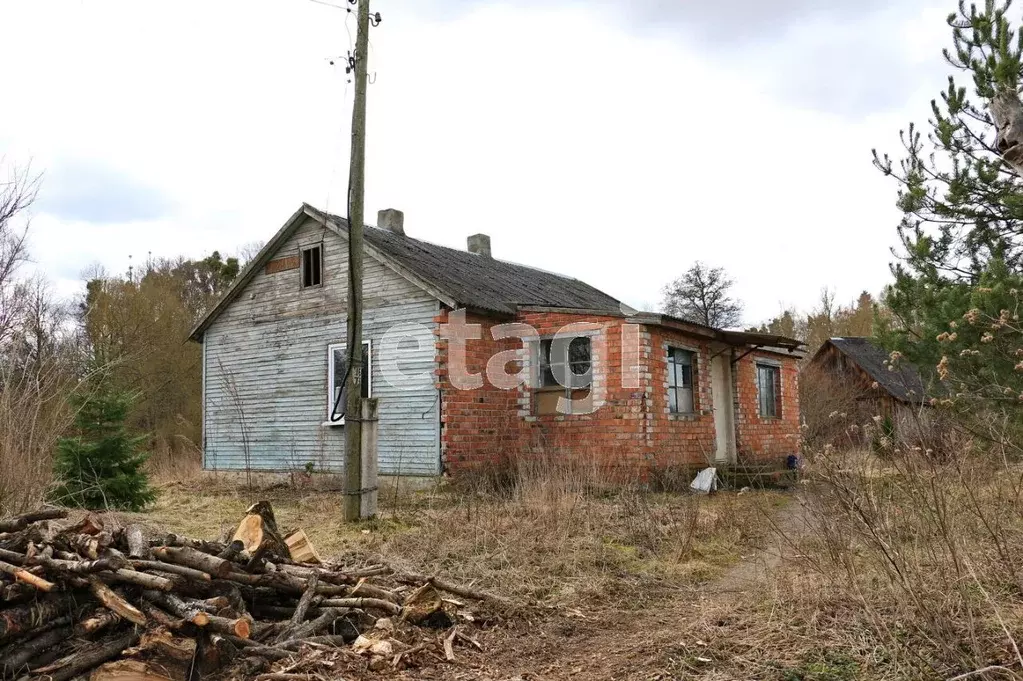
point(954, 306)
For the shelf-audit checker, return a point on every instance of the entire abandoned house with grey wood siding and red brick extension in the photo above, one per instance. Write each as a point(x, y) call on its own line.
point(619, 387)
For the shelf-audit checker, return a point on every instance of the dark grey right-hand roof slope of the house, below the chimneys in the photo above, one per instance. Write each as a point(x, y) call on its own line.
point(485, 284)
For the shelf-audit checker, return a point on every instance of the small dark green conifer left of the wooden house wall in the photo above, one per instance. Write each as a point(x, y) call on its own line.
point(102, 466)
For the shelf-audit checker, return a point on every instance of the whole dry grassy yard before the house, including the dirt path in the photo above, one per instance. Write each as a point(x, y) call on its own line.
point(877, 569)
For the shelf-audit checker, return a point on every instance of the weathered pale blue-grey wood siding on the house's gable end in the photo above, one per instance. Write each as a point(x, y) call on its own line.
point(266, 370)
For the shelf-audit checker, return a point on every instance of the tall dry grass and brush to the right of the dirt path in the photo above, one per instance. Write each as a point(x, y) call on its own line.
point(908, 569)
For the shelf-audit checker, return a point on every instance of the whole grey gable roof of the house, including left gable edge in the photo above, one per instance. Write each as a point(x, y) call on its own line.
point(458, 279)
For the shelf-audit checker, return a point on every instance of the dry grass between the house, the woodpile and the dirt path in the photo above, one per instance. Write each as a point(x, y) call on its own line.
point(556, 536)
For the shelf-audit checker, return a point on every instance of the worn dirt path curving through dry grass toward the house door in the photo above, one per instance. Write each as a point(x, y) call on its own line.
point(641, 645)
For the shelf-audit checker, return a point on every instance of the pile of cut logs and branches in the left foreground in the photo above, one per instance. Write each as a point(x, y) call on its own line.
point(118, 604)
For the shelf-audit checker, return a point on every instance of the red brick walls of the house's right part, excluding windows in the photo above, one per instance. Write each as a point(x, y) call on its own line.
point(490, 425)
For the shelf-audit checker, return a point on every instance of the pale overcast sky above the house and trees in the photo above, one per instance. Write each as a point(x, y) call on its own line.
point(616, 142)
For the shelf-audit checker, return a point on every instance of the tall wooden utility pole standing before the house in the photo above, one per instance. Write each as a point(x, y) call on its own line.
point(358, 188)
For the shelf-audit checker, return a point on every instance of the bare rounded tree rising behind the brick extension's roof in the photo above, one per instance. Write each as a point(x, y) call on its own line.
point(701, 296)
